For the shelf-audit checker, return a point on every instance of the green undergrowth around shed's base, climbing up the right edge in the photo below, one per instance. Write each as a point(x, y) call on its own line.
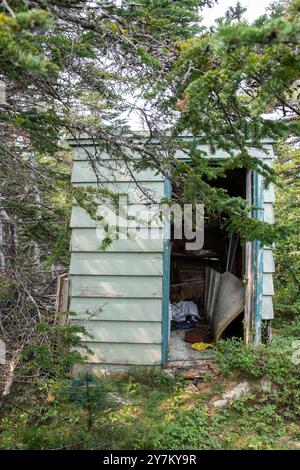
point(151, 408)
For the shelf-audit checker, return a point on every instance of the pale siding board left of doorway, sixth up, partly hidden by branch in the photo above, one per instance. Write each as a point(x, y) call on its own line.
point(89, 239)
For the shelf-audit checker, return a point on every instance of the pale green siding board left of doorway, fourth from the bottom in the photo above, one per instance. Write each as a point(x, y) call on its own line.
point(117, 286)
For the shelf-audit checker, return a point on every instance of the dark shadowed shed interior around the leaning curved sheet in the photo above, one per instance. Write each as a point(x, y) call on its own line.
point(190, 269)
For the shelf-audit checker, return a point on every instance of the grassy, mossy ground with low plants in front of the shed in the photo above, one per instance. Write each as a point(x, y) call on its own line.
point(250, 400)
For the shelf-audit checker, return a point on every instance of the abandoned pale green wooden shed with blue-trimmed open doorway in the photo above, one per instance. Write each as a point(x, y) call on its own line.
point(124, 293)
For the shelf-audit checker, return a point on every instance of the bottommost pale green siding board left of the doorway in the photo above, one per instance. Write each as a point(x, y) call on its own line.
point(130, 354)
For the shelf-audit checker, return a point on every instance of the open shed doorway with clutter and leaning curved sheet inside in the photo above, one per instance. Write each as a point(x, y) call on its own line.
point(206, 286)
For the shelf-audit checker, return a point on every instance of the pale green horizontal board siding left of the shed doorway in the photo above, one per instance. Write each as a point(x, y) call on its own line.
point(117, 292)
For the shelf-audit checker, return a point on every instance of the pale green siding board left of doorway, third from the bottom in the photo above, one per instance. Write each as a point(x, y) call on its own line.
point(116, 309)
